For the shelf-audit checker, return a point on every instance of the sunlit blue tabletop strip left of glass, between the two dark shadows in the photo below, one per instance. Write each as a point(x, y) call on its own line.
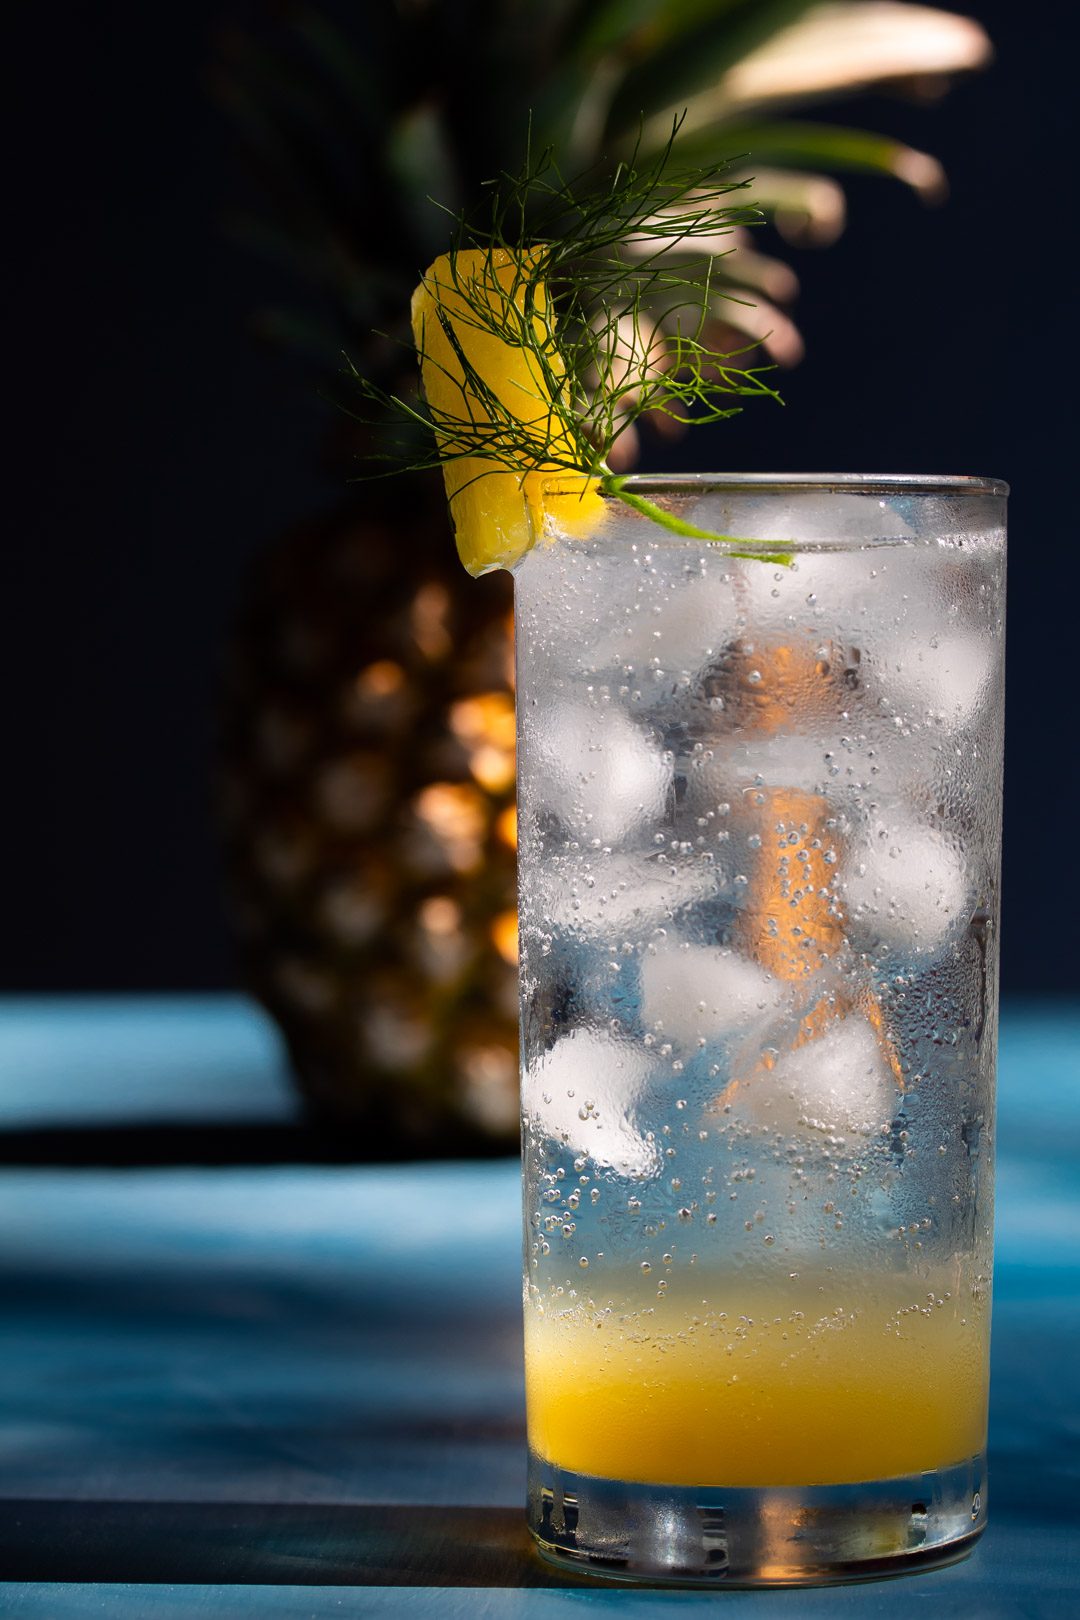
point(250, 1336)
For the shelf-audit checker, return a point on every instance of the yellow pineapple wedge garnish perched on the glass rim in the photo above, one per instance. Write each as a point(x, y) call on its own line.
point(498, 511)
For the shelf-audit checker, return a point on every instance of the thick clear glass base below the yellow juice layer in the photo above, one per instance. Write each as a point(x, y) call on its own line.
point(763, 1537)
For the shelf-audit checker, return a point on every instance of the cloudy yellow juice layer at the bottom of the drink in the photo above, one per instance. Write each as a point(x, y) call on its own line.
point(817, 1383)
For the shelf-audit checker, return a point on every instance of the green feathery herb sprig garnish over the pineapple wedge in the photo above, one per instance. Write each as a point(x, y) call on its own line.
point(611, 297)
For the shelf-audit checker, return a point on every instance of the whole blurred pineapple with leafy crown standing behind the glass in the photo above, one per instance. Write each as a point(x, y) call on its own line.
point(367, 778)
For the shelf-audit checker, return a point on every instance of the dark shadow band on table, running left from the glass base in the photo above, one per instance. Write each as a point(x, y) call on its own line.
point(208, 1543)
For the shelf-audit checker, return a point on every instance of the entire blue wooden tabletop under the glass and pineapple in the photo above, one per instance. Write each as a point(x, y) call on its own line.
point(296, 1391)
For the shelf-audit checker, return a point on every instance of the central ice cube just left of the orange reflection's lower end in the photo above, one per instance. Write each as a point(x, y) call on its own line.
point(695, 992)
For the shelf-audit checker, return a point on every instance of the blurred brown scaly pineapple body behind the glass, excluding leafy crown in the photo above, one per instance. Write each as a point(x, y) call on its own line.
point(365, 790)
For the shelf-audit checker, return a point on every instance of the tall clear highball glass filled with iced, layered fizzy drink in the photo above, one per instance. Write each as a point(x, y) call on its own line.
point(760, 829)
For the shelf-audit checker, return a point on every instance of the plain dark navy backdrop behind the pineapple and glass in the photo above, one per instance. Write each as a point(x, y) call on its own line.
point(161, 448)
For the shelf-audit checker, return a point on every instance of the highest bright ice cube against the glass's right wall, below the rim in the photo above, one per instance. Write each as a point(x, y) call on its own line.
point(946, 675)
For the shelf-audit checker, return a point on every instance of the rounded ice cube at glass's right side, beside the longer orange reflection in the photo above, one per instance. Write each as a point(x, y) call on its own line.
point(903, 887)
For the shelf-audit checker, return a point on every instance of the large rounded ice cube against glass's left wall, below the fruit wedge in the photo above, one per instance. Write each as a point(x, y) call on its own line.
point(597, 772)
